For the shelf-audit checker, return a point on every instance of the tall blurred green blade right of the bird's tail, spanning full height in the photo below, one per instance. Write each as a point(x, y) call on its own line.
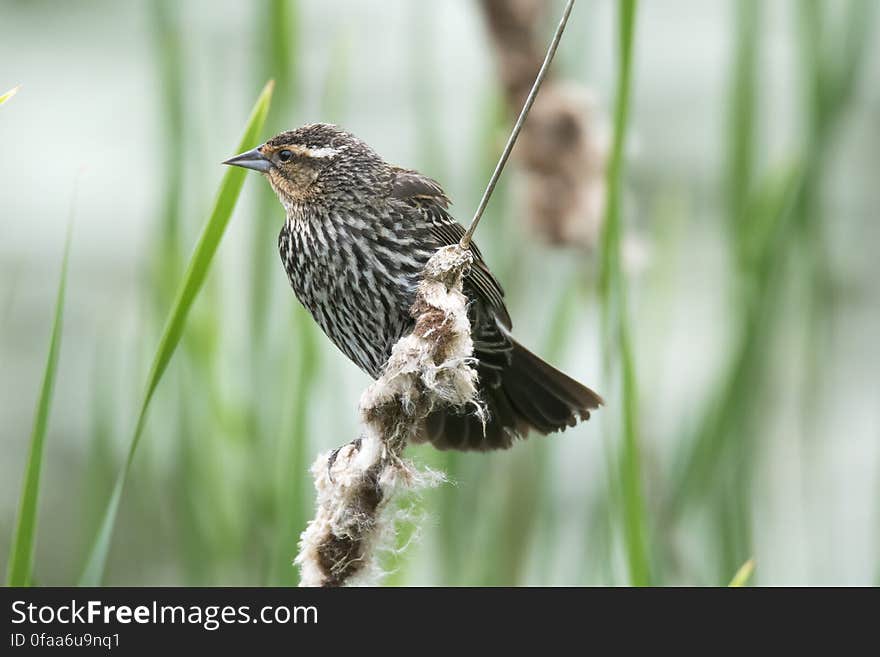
point(615, 320)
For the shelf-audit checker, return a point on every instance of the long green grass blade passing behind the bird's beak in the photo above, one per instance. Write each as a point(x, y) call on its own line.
point(193, 278)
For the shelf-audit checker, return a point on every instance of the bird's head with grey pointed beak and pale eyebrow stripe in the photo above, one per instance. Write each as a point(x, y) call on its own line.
point(305, 163)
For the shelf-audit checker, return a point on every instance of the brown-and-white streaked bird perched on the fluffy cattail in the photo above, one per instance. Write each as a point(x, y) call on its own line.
point(357, 234)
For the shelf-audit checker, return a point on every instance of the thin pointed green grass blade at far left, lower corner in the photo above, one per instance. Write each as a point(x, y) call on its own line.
point(21, 557)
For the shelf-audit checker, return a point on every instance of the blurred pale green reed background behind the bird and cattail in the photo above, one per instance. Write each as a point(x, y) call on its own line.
point(729, 314)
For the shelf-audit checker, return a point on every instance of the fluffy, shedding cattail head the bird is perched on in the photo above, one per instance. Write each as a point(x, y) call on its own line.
point(359, 484)
